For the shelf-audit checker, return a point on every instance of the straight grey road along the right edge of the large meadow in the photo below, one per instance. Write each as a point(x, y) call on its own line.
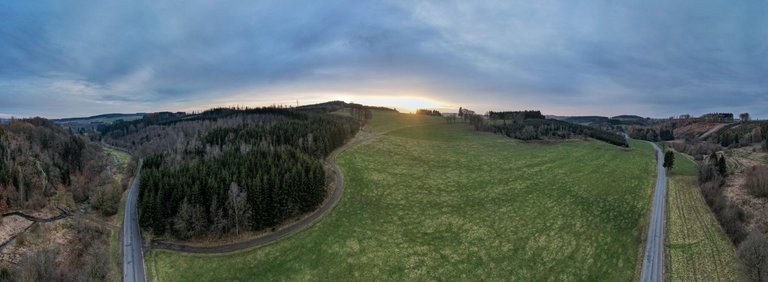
point(653, 260)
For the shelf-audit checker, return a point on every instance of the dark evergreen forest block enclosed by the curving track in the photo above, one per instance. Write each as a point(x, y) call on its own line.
point(230, 170)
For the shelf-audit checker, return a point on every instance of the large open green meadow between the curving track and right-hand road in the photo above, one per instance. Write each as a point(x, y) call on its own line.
point(441, 202)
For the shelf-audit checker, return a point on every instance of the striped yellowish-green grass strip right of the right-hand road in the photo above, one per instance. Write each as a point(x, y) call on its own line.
point(697, 248)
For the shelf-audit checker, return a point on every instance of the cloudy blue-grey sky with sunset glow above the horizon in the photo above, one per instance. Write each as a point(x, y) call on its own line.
point(656, 58)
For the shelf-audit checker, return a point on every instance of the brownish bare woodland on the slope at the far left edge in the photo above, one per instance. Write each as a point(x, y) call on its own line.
point(39, 158)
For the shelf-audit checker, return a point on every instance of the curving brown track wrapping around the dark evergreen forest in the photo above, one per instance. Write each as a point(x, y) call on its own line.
point(327, 205)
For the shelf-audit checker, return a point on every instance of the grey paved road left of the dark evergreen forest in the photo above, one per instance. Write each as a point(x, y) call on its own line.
point(133, 258)
